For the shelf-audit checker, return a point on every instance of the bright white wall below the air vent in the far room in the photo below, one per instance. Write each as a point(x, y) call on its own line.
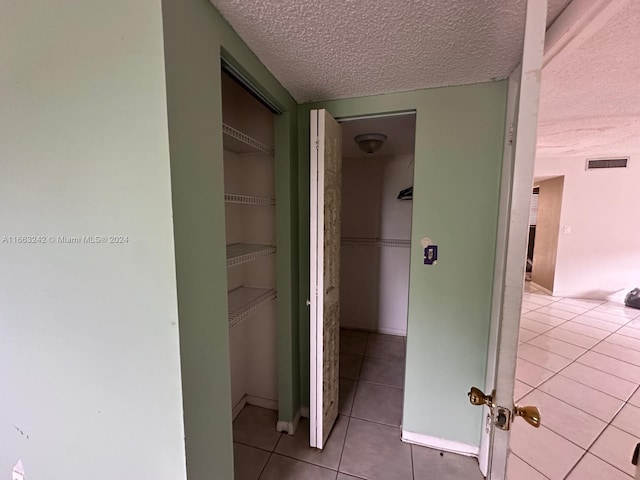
point(600, 256)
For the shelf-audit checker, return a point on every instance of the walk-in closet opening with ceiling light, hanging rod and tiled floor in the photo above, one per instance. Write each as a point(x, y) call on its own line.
point(377, 192)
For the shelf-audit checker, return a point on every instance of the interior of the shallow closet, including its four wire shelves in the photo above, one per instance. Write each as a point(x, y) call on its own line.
point(250, 233)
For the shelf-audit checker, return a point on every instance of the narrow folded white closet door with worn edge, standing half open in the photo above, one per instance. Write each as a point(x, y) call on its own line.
point(326, 184)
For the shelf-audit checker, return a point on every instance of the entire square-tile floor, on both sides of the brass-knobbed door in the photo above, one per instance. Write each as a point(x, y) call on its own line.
point(578, 361)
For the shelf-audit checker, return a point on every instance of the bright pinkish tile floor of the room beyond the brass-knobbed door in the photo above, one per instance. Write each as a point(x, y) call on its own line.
point(579, 362)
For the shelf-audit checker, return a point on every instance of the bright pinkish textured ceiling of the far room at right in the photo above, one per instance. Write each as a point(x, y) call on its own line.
point(590, 101)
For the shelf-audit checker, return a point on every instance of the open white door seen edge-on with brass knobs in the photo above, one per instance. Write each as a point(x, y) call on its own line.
point(517, 179)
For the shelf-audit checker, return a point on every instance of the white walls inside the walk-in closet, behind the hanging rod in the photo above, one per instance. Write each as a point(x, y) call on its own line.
point(375, 277)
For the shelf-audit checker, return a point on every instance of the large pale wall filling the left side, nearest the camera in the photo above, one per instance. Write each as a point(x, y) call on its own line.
point(89, 356)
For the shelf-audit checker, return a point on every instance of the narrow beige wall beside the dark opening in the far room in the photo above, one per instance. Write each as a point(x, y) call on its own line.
point(547, 230)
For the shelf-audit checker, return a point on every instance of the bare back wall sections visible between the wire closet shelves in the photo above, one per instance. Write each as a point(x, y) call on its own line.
point(252, 343)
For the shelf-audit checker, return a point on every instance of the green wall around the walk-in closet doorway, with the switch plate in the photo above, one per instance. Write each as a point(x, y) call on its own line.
point(458, 156)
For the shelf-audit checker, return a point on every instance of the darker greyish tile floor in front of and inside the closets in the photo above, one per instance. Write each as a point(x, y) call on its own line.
point(365, 442)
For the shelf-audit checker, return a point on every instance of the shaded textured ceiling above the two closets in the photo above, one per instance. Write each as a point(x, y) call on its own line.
point(348, 48)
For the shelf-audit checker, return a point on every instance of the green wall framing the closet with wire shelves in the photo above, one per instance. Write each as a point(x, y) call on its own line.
point(195, 36)
